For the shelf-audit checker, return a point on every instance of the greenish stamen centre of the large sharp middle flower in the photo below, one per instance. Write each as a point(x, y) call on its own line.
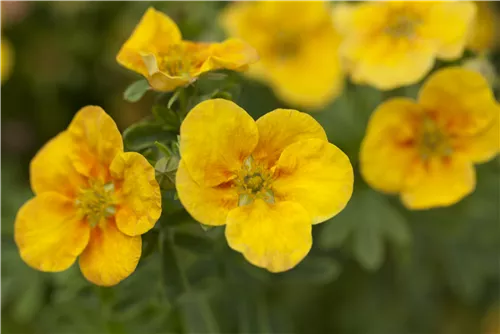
point(254, 181)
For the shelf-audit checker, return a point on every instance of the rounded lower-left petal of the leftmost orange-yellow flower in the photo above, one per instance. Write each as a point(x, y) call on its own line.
point(48, 233)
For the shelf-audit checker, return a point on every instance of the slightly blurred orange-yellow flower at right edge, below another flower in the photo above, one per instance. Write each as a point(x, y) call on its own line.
point(426, 150)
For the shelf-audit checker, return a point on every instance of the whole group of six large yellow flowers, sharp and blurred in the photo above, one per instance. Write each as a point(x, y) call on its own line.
point(268, 181)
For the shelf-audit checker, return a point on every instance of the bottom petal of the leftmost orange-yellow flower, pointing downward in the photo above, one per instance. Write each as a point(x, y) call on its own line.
point(110, 256)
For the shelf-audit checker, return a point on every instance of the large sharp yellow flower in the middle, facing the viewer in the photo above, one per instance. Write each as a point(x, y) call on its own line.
point(268, 181)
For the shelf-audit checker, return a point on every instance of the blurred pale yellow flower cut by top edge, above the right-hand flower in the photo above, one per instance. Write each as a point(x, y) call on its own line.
point(388, 44)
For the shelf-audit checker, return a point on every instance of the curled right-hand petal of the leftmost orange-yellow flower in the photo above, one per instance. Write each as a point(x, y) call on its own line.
point(139, 194)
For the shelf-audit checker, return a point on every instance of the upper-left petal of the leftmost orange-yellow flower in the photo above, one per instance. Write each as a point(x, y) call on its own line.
point(52, 169)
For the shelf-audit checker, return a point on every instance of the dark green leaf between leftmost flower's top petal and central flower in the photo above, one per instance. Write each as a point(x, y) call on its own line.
point(143, 135)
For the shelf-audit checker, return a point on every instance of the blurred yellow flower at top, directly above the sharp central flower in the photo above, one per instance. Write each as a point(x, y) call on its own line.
point(297, 44)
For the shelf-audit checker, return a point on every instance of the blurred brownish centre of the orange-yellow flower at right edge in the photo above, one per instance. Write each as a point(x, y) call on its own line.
point(433, 141)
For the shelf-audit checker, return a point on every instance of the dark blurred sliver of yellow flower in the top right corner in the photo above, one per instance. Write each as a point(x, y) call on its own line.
point(486, 26)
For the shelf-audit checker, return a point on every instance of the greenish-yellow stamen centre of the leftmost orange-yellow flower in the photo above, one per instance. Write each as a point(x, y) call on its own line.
point(96, 202)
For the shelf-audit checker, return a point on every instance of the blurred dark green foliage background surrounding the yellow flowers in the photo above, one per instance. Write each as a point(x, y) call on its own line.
point(375, 269)
